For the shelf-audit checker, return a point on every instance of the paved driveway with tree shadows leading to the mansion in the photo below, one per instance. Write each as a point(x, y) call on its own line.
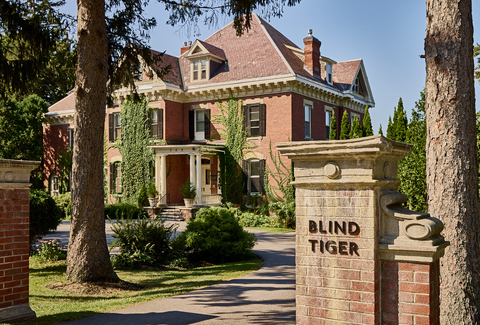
point(266, 296)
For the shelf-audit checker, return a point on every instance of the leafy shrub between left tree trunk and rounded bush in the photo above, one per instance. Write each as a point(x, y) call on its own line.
point(141, 241)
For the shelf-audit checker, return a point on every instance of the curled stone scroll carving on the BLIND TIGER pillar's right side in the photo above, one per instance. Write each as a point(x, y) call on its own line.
point(406, 231)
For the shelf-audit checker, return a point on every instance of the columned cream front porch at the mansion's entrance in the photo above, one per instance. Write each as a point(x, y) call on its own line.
point(196, 163)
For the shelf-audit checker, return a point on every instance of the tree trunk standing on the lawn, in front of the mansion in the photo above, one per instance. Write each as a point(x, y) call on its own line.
point(88, 259)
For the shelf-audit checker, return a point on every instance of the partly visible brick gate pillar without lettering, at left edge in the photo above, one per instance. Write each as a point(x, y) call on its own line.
point(14, 240)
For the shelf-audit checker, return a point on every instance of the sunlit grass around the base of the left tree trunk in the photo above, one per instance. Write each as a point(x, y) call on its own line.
point(54, 306)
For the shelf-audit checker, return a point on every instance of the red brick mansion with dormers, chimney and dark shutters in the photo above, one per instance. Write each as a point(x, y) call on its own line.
point(287, 93)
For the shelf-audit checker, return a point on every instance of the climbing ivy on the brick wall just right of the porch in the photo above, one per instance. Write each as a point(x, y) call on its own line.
point(235, 136)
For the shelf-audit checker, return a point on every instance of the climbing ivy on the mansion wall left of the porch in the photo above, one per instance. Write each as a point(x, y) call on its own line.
point(133, 146)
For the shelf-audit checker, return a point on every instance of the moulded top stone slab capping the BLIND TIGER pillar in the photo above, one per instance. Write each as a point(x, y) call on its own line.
point(375, 144)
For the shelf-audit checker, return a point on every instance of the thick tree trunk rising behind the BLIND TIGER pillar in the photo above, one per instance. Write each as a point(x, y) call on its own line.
point(452, 168)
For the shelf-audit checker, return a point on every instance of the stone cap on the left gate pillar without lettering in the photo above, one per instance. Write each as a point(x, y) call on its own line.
point(16, 173)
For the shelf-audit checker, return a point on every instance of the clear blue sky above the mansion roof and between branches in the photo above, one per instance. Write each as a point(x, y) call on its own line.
point(387, 35)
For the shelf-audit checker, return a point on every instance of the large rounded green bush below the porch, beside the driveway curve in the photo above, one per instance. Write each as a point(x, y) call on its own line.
point(215, 236)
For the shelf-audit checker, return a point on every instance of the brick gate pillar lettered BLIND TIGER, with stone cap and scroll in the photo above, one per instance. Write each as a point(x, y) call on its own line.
point(361, 258)
